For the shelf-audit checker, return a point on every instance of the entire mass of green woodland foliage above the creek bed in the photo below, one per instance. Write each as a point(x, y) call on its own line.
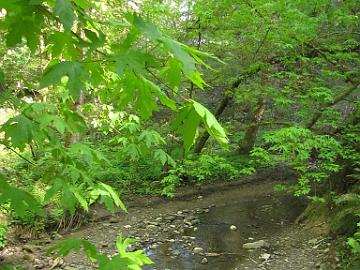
point(76, 74)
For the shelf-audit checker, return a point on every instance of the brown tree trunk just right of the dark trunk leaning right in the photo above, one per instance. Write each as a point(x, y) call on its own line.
point(250, 134)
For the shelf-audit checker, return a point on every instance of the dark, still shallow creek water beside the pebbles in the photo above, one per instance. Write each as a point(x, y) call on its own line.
point(259, 217)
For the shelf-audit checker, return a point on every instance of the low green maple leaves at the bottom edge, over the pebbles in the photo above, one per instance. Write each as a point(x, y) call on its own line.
point(124, 259)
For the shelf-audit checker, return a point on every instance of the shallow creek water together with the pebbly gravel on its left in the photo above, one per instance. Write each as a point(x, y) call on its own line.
point(194, 232)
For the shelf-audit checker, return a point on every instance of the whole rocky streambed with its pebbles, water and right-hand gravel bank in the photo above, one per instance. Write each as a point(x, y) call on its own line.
point(238, 227)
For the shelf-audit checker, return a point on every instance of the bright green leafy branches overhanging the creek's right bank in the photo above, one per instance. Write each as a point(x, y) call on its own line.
point(313, 157)
